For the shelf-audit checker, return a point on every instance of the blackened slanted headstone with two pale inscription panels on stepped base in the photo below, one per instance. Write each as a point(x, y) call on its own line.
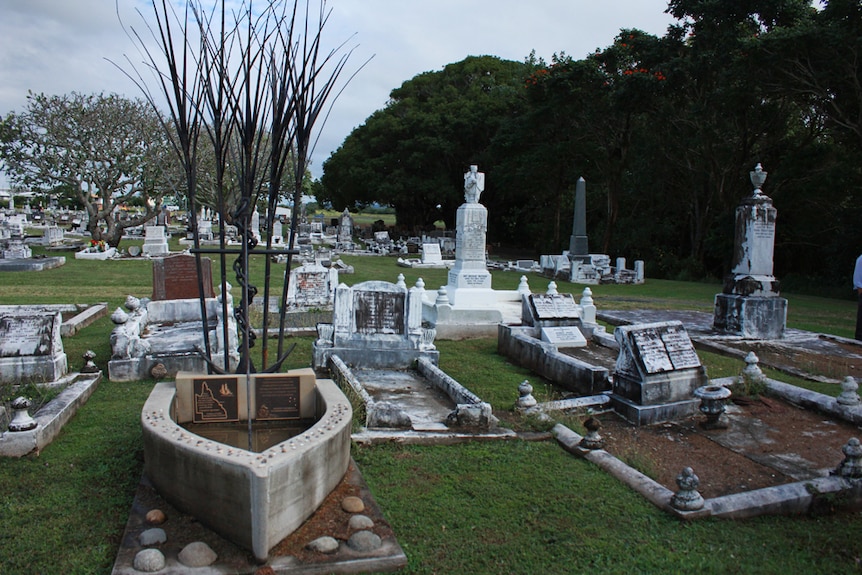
point(656, 373)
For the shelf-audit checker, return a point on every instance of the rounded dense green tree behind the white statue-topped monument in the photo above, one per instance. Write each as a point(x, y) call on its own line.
point(411, 155)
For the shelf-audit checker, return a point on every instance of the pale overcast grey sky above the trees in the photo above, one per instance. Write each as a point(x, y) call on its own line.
point(61, 46)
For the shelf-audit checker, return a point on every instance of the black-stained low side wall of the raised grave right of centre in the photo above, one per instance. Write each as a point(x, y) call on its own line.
point(522, 346)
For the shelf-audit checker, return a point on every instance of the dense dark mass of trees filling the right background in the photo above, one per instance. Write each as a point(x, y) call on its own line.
point(664, 130)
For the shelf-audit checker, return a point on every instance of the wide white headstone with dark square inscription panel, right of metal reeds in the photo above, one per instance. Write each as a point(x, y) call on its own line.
point(375, 323)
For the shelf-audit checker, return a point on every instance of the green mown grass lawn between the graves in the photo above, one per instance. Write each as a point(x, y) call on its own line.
point(486, 507)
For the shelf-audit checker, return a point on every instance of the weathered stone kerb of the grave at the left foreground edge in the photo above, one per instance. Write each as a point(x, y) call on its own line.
point(52, 417)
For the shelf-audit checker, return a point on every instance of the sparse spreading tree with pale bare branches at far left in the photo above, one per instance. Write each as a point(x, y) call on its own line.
point(106, 148)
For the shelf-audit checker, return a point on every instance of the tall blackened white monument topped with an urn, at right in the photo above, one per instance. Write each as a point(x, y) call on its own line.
point(749, 305)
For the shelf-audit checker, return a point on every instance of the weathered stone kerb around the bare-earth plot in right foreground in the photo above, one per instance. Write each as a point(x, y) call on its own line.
point(787, 499)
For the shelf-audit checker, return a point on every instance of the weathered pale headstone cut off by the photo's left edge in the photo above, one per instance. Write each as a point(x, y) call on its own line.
point(31, 350)
